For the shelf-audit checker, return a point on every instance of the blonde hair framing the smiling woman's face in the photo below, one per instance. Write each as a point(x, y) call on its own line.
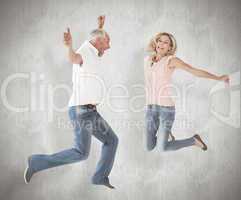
point(152, 44)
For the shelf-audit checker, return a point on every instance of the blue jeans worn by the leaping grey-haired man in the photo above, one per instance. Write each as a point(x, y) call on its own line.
point(86, 122)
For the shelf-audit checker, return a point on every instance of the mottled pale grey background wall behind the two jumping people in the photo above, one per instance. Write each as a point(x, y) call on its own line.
point(208, 35)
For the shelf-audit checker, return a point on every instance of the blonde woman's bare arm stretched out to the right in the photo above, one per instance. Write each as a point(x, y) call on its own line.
point(178, 63)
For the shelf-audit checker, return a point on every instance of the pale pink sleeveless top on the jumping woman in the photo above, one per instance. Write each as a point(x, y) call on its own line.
point(158, 82)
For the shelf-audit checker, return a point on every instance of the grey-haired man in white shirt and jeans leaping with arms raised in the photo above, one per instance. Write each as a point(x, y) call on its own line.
point(82, 111)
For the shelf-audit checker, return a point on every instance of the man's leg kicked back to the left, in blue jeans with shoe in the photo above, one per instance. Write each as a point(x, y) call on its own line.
point(80, 151)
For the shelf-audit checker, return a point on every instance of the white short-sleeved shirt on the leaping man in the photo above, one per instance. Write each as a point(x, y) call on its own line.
point(88, 86)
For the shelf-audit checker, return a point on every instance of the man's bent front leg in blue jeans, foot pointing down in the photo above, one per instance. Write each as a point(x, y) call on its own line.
point(106, 135)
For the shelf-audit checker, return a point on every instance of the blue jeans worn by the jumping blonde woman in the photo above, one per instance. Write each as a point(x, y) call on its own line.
point(157, 115)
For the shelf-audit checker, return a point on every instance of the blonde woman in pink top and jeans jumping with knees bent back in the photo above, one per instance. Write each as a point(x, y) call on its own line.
point(160, 111)
